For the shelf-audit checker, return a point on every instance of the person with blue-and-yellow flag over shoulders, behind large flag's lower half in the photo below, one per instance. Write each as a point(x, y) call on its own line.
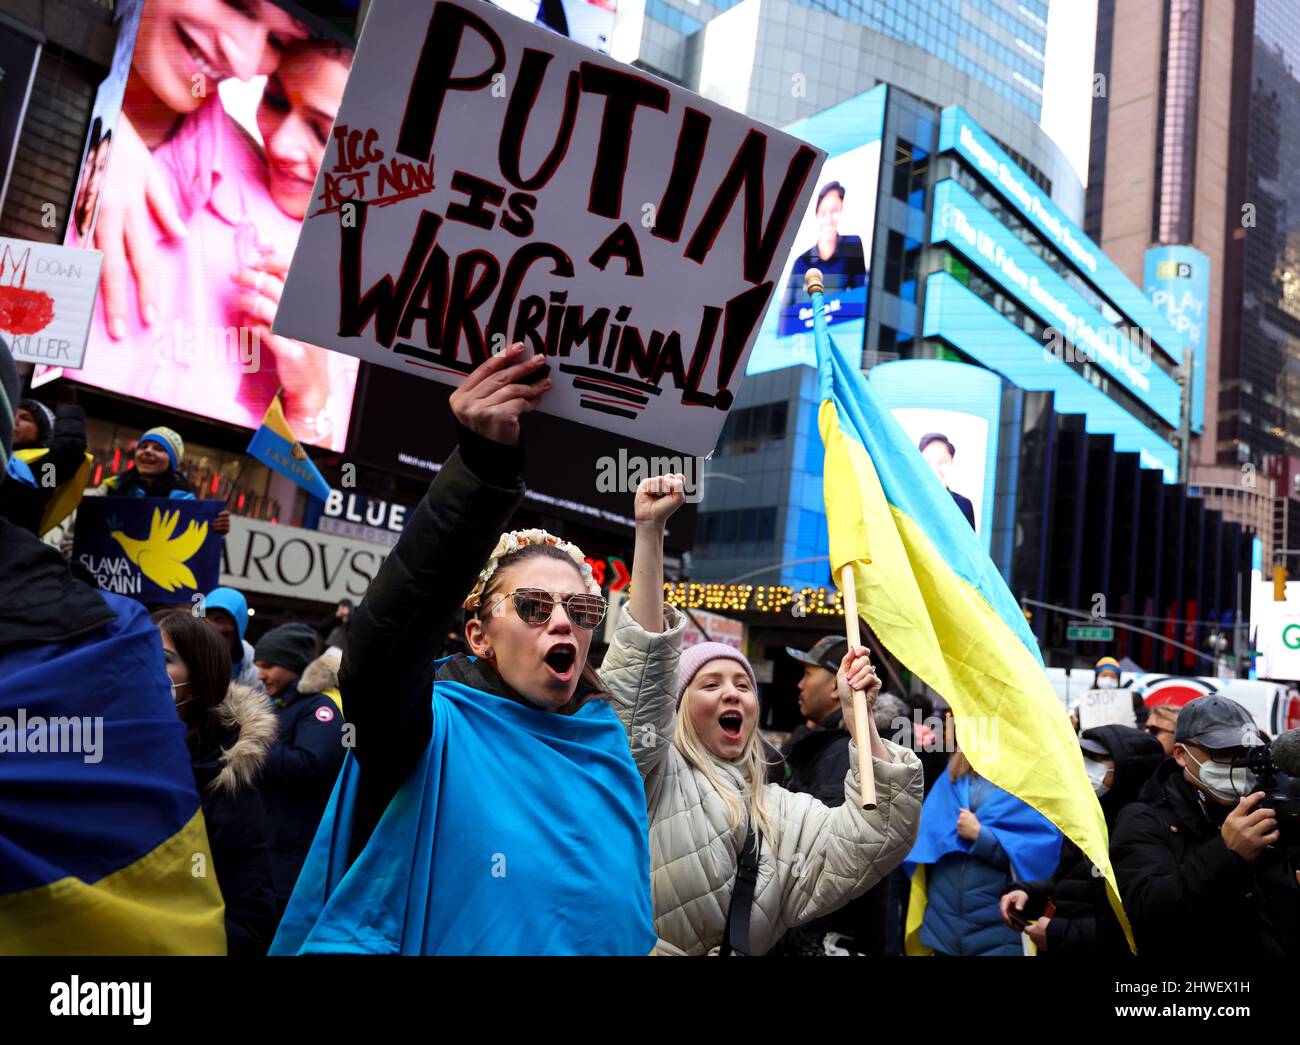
point(974, 839)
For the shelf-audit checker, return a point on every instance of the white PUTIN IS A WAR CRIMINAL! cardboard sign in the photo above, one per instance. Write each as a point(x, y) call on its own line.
point(488, 183)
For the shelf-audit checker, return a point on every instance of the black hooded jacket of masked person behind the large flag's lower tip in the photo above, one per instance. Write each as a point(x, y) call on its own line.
point(1084, 922)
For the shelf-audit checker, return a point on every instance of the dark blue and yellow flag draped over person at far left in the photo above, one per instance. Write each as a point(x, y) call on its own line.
point(103, 845)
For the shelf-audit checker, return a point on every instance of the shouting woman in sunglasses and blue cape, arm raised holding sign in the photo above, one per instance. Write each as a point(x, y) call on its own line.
point(489, 805)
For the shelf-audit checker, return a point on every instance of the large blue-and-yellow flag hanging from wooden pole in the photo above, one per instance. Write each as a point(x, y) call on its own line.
point(937, 602)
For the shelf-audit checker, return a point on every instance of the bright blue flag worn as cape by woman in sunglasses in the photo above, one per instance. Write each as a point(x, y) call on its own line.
point(518, 832)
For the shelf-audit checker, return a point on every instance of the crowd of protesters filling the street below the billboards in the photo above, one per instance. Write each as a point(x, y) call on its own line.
point(625, 806)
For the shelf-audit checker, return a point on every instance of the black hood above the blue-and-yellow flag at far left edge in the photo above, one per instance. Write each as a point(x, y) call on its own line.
point(41, 601)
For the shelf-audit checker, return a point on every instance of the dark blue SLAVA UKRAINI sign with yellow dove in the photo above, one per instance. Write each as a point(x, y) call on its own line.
point(151, 549)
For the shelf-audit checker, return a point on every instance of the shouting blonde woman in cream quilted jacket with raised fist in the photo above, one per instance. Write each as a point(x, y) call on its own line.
point(704, 774)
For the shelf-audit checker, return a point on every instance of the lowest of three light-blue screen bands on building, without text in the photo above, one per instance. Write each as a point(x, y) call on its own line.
point(968, 323)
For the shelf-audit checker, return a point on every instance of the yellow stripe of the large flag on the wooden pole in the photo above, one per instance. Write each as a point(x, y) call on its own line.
point(944, 631)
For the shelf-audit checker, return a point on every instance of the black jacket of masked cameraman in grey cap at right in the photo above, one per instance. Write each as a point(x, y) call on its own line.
point(1186, 892)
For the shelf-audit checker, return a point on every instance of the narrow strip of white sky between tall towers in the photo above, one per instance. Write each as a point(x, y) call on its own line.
point(1068, 80)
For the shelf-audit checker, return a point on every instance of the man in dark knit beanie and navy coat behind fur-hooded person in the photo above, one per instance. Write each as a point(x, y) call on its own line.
point(302, 766)
